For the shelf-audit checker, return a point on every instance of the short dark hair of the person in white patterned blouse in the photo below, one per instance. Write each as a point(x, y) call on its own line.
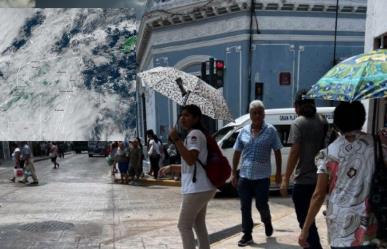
point(349, 116)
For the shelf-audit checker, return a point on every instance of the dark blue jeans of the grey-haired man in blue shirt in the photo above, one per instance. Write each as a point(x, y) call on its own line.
point(258, 189)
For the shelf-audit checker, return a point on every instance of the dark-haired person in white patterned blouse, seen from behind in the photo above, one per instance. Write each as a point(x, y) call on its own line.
point(345, 170)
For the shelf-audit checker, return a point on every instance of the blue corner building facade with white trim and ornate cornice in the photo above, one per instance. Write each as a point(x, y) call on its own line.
point(270, 49)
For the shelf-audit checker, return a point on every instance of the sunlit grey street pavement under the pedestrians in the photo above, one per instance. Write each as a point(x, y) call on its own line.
point(77, 206)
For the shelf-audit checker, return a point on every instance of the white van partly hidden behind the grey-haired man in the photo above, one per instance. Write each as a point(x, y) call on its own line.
point(281, 119)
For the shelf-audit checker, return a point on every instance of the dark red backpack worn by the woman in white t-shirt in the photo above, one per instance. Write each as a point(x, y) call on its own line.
point(218, 168)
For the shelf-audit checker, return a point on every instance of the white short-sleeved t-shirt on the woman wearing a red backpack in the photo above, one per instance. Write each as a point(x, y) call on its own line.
point(195, 140)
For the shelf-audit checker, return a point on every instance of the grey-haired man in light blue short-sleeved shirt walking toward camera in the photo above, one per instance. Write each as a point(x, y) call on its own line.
point(254, 145)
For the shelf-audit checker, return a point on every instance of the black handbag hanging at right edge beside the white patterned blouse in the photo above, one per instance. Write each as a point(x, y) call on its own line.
point(378, 193)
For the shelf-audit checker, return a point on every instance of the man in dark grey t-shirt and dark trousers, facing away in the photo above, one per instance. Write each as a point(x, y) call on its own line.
point(307, 137)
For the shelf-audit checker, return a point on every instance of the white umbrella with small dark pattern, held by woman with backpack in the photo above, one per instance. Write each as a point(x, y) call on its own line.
point(189, 90)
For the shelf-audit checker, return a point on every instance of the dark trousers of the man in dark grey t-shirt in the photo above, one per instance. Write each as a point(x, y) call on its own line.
point(302, 194)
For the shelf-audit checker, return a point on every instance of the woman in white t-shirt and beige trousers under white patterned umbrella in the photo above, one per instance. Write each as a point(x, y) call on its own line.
point(197, 192)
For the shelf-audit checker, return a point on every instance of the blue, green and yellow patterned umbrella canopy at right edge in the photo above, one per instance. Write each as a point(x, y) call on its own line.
point(360, 77)
